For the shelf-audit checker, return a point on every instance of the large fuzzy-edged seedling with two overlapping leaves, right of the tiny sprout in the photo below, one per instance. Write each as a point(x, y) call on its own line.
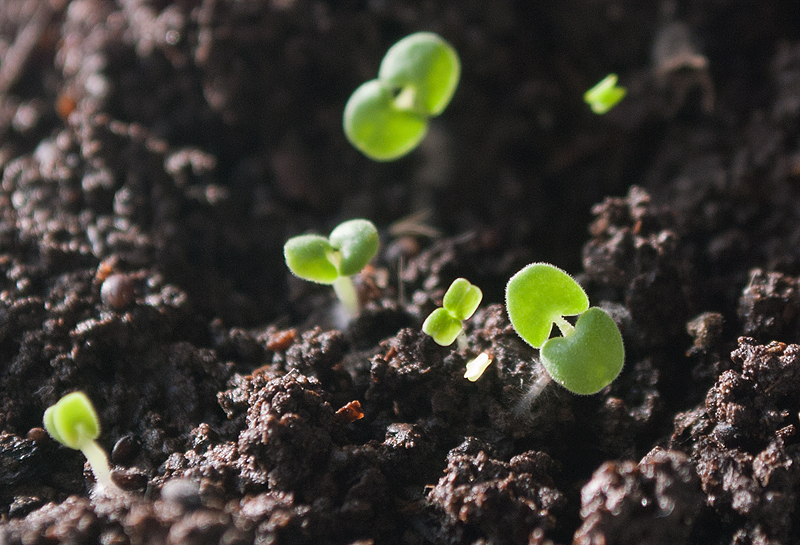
point(589, 355)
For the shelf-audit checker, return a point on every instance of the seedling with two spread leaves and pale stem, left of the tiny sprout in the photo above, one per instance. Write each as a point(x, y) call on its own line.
point(333, 260)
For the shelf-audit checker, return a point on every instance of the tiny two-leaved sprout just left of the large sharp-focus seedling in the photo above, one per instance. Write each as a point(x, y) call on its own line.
point(459, 303)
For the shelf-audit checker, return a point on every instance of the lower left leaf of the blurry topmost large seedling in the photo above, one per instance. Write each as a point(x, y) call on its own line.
point(377, 128)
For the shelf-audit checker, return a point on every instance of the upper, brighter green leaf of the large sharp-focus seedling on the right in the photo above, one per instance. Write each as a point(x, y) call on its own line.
point(537, 296)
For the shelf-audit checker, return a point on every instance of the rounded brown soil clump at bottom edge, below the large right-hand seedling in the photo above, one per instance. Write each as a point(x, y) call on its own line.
point(655, 501)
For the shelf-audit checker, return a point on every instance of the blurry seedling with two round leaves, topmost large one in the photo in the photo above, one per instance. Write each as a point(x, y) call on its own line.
point(387, 117)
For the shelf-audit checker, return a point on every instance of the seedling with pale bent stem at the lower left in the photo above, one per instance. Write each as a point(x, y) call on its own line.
point(73, 422)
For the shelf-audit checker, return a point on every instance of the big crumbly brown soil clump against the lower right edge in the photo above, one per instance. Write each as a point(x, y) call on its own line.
point(743, 442)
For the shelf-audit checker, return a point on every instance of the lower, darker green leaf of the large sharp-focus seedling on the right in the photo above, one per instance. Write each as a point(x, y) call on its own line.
point(589, 358)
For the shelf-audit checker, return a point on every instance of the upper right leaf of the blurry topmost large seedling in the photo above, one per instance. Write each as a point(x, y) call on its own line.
point(428, 65)
